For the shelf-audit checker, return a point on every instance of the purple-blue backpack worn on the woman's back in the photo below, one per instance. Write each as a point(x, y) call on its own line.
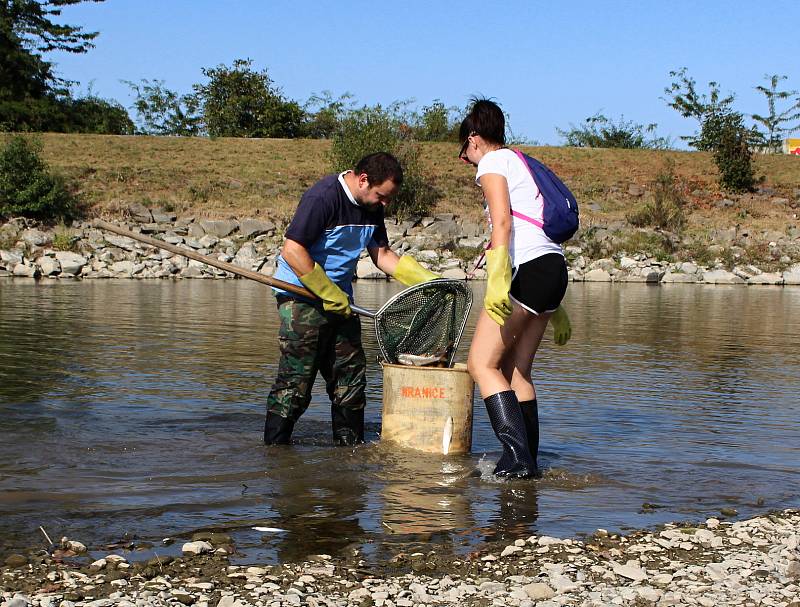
point(560, 207)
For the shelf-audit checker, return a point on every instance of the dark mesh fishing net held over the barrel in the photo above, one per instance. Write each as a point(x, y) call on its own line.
point(423, 324)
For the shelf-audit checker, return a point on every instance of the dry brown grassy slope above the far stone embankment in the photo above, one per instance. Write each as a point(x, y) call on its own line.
point(246, 177)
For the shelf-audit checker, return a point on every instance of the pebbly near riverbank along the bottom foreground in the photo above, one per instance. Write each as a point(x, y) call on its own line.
point(752, 562)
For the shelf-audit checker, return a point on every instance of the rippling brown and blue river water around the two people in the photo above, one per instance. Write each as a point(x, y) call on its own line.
point(135, 410)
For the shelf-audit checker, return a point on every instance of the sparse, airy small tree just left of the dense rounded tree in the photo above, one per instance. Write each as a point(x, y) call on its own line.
point(161, 111)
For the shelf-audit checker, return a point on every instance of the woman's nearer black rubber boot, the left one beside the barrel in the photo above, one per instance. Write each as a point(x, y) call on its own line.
point(509, 427)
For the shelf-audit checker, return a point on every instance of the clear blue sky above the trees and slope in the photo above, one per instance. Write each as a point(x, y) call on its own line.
point(549, 64)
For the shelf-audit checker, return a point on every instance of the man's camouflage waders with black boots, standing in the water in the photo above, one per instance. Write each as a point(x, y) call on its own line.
point(312, 340)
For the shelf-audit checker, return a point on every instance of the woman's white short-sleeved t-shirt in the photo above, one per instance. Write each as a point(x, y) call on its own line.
point(528, 241)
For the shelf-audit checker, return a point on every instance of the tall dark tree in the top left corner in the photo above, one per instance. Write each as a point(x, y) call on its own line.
point(29, 90)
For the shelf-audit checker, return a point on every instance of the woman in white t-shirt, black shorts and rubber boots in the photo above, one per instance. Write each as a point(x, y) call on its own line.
point(527, 279)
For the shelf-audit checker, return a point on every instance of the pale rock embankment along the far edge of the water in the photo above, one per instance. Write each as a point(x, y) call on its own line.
point(444, 243)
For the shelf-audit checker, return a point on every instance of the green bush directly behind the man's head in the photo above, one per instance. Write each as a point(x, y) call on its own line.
point(376, 129)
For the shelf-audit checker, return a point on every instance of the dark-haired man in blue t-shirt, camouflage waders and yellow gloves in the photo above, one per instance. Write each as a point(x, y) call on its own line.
point(337, 218)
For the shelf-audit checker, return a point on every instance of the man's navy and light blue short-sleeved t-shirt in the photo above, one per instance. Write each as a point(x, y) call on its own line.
point(334, 230)
